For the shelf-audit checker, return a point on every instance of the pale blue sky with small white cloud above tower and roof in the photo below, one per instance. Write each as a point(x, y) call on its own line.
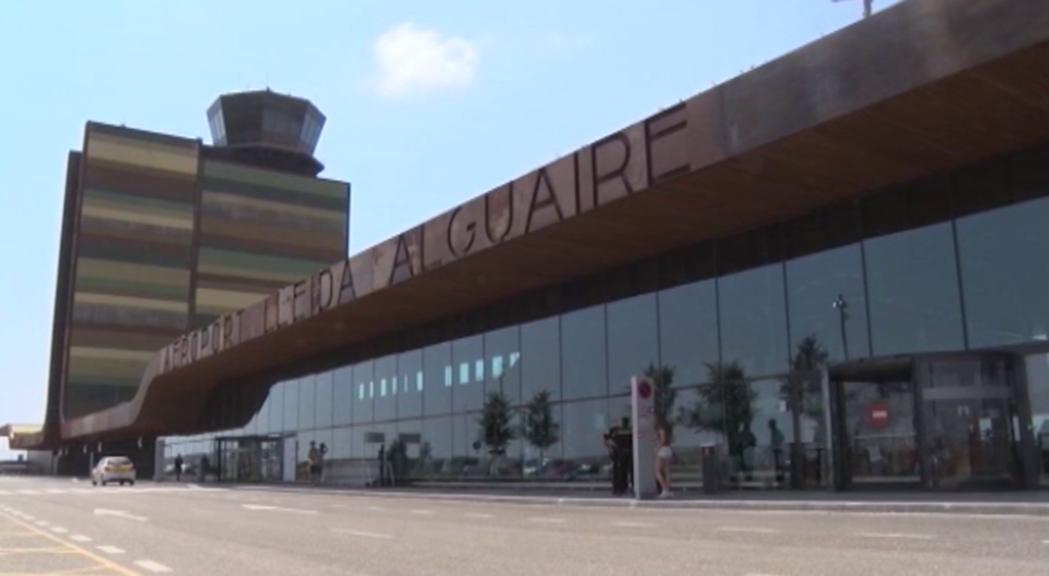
point(427, 103)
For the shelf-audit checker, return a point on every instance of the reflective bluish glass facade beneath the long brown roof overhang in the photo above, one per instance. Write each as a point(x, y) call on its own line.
point(530, 398)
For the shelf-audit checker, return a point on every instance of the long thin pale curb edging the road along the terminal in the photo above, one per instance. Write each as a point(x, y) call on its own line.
point(975, 508)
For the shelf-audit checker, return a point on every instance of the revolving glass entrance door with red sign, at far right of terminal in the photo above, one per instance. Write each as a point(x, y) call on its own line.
point(937, 421)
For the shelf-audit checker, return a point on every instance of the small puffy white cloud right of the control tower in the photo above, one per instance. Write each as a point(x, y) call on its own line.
point(419, 61)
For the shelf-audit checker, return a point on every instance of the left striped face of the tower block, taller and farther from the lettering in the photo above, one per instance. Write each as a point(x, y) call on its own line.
point(134, 262)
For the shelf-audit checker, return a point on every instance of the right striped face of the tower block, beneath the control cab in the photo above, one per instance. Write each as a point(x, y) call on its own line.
point(261, 230)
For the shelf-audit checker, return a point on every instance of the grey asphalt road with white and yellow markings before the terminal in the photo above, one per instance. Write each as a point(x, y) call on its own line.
point(60, 527)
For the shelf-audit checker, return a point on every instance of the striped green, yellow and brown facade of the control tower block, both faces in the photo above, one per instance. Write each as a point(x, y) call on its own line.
point(166, 240)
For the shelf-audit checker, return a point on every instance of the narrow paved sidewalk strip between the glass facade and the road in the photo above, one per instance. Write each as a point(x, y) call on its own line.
point(1004, 503)
